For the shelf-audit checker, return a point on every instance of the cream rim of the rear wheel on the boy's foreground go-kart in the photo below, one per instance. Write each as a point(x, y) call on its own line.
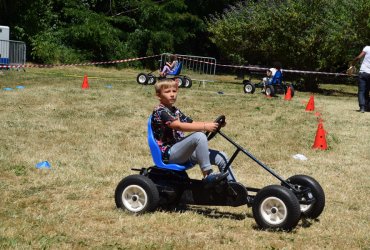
point(134, 198)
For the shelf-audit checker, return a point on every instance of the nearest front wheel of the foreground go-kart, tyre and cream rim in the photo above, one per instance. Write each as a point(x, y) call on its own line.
point(277, 208)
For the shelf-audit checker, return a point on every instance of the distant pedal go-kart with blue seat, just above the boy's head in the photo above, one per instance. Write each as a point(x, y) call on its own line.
point(150, 78)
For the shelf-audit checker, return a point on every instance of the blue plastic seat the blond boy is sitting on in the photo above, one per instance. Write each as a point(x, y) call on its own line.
point(157, 154)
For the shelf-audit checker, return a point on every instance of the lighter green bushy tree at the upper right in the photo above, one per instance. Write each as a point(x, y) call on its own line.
point(322, 34)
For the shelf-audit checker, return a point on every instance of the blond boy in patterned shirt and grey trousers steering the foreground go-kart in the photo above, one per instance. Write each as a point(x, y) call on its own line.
point(169, 125)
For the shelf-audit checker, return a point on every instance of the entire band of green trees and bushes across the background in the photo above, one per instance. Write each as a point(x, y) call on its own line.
point(304, 34)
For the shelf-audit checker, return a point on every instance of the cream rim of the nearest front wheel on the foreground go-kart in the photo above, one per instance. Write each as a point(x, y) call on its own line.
point(273, 210)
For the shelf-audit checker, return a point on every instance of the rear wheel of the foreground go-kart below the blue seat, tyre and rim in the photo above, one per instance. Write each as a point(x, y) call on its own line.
point(137, 194)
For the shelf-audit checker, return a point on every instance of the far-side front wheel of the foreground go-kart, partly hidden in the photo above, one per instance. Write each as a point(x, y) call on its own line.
point(313, 210)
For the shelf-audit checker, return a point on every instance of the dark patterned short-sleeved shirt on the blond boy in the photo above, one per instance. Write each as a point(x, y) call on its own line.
point(165, 136)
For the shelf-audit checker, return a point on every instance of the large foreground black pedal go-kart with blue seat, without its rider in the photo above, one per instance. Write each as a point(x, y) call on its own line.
point(276, 207)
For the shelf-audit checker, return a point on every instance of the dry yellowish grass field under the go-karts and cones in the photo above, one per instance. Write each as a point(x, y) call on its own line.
point(92, 138)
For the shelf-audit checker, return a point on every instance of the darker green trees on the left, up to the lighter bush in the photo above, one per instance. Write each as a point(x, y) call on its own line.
point(96, 30)
